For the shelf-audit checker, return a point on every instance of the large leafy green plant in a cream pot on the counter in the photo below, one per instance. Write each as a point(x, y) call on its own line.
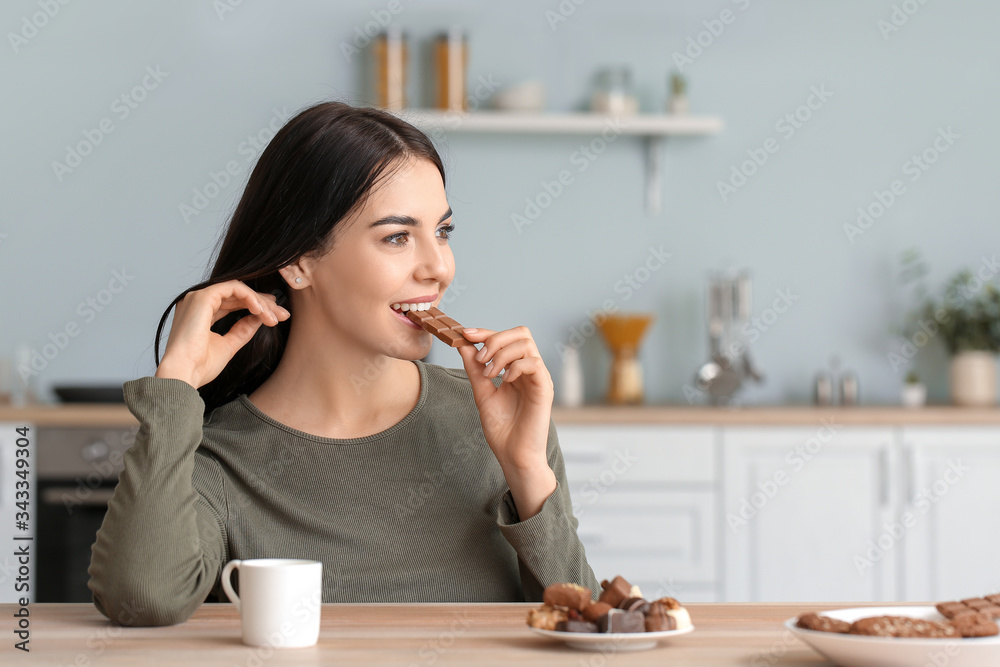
point(967, 320)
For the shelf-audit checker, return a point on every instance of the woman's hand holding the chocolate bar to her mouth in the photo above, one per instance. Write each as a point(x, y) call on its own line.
point(515, 416)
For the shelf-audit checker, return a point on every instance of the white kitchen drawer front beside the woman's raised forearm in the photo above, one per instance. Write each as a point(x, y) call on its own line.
point(646, 499)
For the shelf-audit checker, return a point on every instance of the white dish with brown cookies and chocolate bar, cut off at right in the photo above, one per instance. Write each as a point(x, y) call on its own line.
point(958, 634)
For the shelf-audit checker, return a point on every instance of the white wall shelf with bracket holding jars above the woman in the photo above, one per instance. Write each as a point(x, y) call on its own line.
point(653, 128)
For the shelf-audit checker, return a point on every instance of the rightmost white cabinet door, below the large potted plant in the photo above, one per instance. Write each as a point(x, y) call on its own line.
point(950, 479)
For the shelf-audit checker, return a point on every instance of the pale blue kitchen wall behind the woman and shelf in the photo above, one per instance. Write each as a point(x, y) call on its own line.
point(119, 208)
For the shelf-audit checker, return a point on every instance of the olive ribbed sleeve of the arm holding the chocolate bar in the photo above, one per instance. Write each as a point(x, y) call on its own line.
point(548, 548)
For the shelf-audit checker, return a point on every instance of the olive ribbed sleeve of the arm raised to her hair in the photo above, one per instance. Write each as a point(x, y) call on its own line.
point(162, 544)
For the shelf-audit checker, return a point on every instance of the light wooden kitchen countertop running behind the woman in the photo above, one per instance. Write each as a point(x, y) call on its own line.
point(115, 415)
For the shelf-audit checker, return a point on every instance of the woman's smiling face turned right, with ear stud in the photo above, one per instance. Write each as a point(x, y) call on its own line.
point(394, 250)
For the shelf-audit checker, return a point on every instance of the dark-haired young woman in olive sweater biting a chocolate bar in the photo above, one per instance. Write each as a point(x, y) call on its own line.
point(291, 414)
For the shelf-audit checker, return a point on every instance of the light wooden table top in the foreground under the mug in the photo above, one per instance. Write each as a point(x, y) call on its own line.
point(404, 634)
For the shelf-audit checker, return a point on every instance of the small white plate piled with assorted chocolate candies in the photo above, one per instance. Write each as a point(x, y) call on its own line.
point(619, 620)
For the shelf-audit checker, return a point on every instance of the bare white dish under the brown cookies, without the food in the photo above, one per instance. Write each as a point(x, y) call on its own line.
point(862, 651)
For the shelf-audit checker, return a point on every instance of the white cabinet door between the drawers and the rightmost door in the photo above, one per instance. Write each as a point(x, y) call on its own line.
point(801, 508)
